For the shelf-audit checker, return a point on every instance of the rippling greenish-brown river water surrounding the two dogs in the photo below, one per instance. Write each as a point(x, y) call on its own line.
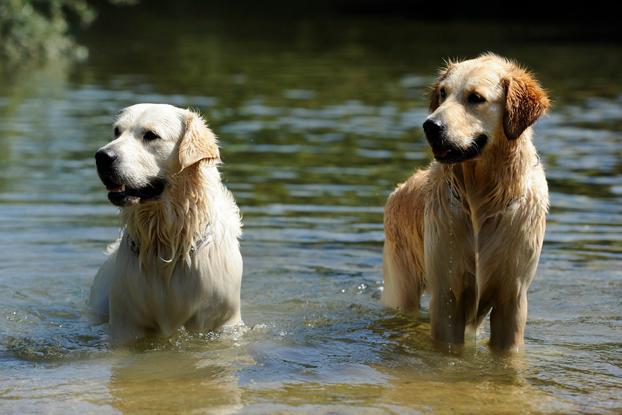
point(318, 122)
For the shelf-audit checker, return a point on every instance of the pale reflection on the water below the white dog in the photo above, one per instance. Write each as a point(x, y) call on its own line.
point(194, 378)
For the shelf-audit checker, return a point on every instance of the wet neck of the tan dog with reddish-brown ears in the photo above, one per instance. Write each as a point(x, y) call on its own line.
point(498, 177)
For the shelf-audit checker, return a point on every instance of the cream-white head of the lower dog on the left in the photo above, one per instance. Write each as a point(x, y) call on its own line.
point(152, 144)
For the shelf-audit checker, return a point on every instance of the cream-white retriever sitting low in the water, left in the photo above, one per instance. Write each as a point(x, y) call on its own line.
point(178, 261)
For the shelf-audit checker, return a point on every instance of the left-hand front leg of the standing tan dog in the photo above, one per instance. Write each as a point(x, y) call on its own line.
point(450, 268)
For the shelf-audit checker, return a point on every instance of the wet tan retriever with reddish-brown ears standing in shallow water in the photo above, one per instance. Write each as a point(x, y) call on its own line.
point(470, 227)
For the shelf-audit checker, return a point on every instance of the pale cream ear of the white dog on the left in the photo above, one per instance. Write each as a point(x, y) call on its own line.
point(198, 143)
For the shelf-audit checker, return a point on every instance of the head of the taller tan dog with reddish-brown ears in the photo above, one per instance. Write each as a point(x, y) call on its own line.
point(476, 103)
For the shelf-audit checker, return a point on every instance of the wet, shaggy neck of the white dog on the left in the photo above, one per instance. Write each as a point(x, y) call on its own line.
point(169, 228)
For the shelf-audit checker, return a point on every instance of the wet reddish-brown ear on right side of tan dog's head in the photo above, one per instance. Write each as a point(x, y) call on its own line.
point(525, 102)
